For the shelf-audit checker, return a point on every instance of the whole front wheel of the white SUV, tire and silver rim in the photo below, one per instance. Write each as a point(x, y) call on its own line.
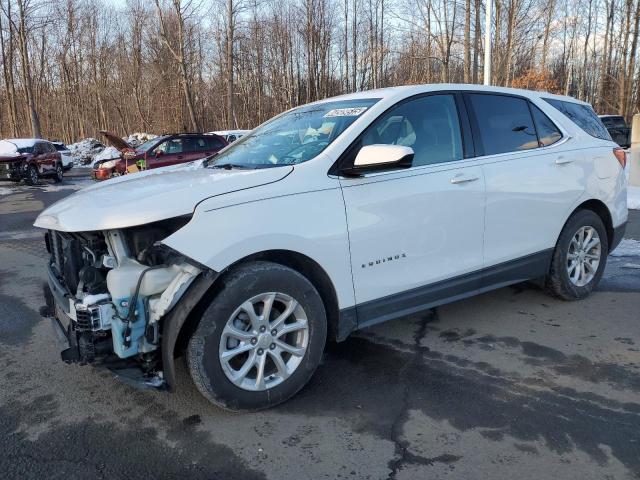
point(260, 339)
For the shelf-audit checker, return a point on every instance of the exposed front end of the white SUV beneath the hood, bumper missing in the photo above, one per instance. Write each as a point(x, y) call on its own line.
point(109, 290)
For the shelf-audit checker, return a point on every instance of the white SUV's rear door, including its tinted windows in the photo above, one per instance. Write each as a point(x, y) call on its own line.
point(531, 177)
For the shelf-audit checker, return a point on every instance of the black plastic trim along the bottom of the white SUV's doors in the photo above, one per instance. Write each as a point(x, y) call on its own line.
point(446, 291)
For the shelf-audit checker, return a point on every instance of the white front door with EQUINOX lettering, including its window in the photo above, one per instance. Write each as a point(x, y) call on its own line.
point(415, 233)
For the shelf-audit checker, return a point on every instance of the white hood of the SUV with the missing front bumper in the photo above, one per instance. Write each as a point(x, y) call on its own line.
point(149, 196)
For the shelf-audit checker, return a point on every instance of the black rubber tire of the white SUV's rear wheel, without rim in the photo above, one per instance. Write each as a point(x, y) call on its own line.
point(557, 280)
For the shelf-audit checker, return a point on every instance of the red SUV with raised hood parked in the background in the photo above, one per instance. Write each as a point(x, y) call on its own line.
point(158, 152)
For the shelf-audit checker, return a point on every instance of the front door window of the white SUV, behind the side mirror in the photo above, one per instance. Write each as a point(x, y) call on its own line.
point(429, 125)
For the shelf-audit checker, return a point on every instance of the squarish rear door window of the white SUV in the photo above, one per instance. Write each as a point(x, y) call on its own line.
point(505, 123)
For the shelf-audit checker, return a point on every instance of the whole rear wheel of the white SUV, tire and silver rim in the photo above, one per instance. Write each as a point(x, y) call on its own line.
point(579, 257)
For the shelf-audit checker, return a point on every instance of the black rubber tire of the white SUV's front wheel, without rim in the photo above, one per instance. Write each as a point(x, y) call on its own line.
point(241, 284)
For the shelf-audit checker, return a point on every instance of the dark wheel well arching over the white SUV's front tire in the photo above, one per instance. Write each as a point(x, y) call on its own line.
point(302, 264)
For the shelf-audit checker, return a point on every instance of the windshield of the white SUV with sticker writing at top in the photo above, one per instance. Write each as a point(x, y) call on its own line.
point(294, 137)
